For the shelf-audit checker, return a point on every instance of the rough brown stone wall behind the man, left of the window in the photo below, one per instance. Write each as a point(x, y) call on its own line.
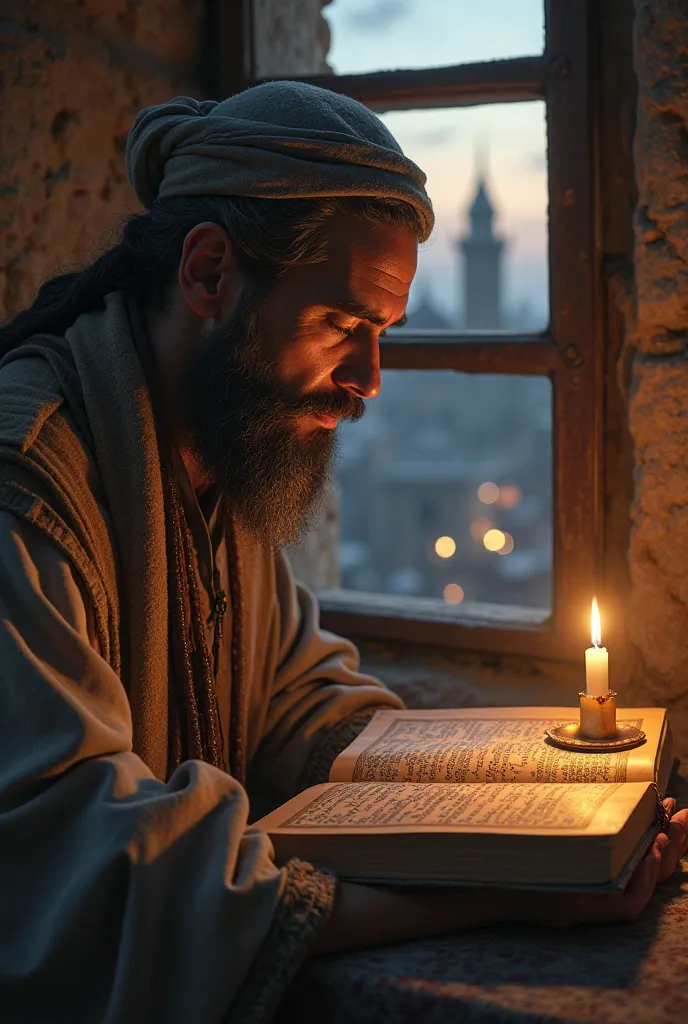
point(73, 75)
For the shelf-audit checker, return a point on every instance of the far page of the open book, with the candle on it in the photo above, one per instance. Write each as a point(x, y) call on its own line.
point(489, 746)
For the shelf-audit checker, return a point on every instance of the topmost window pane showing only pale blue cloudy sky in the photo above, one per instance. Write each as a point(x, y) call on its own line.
point(379, 35)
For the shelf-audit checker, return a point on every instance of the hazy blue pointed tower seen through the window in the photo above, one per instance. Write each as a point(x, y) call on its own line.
point(483, 265)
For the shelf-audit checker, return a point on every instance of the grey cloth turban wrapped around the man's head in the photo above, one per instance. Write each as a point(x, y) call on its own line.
point(277, 141)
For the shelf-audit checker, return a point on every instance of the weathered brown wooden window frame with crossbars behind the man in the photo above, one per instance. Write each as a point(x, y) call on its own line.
point(569, 353)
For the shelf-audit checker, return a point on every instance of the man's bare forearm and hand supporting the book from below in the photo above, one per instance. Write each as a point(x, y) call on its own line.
point(369, 916)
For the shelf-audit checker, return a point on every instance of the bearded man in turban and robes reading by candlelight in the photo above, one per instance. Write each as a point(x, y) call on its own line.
point(167, 421)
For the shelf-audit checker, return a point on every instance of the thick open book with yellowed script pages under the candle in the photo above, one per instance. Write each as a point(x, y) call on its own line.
point(478, 797)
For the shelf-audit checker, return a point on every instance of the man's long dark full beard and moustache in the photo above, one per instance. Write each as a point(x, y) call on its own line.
point(245, 435)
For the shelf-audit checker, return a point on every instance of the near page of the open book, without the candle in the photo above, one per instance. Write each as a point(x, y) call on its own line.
point(378, 805)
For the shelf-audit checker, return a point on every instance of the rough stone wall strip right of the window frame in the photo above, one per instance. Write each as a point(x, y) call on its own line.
point(659, 405)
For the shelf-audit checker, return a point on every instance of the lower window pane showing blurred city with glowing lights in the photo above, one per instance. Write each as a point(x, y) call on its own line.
point(447, 490)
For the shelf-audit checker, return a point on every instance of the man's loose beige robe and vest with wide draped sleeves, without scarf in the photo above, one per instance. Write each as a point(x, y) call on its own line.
point(126, 895)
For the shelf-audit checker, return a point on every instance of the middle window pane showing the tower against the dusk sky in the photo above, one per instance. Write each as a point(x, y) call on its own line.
point(486, 267)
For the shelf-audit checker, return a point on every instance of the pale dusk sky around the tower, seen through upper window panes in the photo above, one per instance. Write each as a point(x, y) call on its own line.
point(448, 144)
